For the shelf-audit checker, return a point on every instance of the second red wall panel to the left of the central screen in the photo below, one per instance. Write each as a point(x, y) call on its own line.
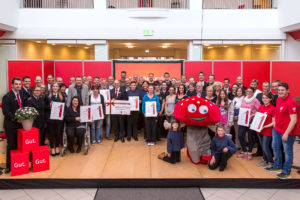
point(67, 69)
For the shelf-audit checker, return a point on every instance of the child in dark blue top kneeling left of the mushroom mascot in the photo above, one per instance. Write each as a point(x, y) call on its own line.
point(175, 143)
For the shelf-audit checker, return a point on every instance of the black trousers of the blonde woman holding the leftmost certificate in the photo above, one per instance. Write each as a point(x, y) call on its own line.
point(54, 133)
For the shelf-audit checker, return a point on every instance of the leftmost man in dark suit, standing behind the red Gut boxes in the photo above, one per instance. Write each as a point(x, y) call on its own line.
point(11, 102)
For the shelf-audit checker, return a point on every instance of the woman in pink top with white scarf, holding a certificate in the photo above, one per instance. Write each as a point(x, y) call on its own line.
point(250, 104)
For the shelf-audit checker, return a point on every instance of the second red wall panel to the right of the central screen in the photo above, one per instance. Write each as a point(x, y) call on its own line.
point(230, 69)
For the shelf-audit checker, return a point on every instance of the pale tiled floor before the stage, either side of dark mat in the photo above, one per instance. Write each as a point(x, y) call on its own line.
point(209, 194)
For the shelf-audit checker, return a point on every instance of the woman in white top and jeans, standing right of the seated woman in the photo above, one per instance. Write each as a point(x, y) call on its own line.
point(97, 125)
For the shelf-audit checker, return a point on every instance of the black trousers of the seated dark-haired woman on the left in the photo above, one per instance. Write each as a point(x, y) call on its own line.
point(73, 132)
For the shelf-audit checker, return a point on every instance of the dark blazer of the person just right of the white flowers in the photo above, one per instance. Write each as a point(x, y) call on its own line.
point(39, 105)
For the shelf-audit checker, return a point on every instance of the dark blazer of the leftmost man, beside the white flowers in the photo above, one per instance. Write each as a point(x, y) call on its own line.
point(9, 107)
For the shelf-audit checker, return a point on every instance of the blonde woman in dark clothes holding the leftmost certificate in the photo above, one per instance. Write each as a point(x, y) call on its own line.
point(55, 124)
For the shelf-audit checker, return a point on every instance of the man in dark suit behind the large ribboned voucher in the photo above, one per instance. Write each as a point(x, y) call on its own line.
point(118, 120)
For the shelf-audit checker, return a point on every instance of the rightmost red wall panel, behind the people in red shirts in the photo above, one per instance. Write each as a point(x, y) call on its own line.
point(288, 72)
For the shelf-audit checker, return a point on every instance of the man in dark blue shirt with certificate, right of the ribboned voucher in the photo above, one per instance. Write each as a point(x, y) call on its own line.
point(132, 119)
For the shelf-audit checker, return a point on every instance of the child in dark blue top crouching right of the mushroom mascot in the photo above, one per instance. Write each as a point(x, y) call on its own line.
point(222, 148)
